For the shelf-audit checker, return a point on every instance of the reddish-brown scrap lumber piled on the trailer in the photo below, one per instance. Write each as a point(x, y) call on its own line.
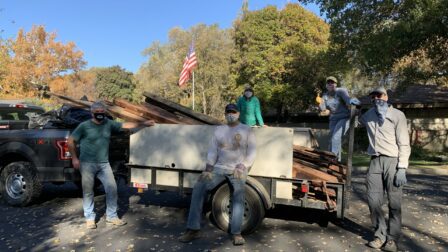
point(317, 166)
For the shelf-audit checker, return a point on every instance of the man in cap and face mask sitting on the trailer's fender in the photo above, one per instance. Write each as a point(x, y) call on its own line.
point(230, 156)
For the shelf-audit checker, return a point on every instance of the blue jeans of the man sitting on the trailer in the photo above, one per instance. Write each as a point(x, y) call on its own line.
point(201, 189)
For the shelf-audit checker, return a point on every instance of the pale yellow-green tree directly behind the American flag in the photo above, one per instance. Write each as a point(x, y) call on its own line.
point(213, 80)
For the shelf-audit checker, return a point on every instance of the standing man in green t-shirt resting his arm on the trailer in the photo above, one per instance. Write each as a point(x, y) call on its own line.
point(93, 137)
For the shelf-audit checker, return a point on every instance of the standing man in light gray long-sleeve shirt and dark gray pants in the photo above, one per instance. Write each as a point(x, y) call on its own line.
point(389, 150)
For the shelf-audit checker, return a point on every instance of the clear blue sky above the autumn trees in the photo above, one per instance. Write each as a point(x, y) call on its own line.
point(113, 32)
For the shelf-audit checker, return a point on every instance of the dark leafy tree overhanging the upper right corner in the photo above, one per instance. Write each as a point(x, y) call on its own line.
point(375, 36)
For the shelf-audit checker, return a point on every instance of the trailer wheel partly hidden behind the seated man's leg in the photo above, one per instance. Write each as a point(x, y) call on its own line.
point(253, 211)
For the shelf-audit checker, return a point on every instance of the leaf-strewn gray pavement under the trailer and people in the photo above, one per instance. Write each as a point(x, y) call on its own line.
point(55, 223)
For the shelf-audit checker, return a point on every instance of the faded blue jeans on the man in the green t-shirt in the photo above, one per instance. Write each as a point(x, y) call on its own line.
point(104, 173)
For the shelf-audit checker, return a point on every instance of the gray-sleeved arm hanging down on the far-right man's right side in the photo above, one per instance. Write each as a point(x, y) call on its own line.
point(404, 147)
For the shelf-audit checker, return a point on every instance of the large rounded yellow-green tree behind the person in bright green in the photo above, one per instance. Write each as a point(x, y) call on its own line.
point(281, 53)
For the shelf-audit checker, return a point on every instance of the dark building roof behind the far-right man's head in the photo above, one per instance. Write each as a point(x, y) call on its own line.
point(416, 96)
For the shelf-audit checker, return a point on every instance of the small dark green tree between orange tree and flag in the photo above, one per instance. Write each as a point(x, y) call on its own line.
point(115, 82)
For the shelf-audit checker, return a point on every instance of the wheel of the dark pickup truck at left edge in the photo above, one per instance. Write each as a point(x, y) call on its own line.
point(19, 184)
